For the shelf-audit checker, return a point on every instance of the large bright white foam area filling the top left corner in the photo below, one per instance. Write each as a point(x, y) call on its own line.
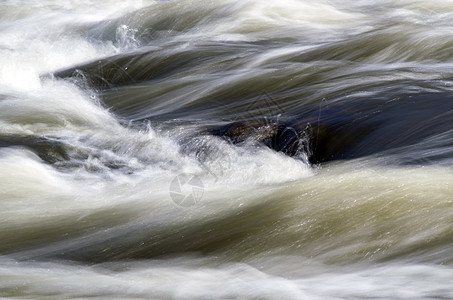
point(50, 37)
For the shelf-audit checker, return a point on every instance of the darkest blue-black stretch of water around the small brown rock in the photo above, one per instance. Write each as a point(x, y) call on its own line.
point(355, 129)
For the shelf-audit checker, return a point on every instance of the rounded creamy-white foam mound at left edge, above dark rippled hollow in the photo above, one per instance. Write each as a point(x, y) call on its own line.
point(53, 107)
